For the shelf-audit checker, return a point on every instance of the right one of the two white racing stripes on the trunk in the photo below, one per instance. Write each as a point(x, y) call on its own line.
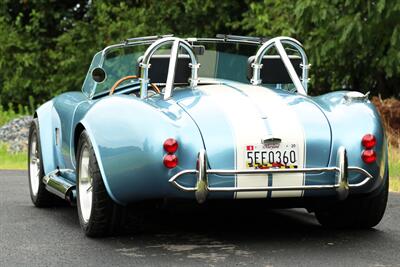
point(284, 125)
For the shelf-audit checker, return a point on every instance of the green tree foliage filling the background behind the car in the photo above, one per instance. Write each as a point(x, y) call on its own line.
point(46, 45)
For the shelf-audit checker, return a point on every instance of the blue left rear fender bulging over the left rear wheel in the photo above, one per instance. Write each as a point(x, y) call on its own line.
point(127, 135)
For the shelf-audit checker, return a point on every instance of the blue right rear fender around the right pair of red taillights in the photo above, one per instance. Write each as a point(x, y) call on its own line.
point(350, 121)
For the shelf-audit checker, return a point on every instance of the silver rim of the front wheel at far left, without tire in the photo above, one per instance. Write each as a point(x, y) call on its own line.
point(34, 165)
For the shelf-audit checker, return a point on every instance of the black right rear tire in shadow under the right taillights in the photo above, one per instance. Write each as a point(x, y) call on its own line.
point(359, 213)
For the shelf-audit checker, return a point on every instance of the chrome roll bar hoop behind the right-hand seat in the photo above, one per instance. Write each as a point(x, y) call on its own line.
point(301, 86)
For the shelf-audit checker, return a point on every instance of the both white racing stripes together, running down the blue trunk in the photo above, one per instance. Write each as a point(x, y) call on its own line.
point(247, 107)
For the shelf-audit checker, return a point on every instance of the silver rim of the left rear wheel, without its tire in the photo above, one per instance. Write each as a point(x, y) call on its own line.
point(85, 185)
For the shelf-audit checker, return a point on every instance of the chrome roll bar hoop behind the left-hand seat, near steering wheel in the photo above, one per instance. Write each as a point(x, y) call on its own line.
point(176, 44)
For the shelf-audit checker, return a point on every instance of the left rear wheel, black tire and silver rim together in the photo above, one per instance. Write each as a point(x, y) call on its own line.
point(98, 214)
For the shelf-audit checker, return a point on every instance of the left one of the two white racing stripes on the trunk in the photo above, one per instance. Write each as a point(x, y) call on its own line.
point(248, 128)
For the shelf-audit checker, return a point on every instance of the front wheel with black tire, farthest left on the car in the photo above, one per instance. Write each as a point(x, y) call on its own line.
point(40, 197)
